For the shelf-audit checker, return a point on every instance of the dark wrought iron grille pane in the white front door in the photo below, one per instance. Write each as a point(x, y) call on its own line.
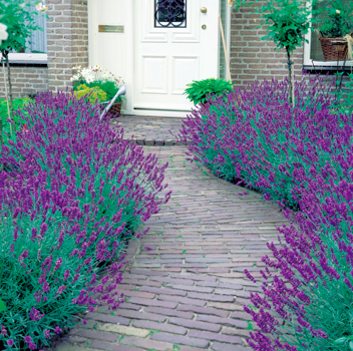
point(170, 13)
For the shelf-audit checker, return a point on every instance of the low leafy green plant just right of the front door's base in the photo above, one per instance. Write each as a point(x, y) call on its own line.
point(199, 91)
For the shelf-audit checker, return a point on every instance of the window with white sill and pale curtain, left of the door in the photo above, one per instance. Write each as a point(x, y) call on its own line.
point(36, 44)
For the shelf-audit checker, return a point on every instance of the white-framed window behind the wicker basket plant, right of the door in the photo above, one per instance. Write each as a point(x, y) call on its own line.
point(313, 51)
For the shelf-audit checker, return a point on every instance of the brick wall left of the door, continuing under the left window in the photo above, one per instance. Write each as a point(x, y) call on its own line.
point(67, 30)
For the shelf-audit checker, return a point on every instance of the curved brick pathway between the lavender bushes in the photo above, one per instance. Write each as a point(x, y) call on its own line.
point(186, 289)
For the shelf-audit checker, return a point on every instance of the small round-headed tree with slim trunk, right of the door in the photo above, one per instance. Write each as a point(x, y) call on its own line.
point(286, 23)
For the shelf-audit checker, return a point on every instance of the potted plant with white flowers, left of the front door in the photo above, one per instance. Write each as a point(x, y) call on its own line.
point(96, 77)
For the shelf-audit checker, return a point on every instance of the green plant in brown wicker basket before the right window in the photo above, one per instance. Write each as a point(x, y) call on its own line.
point(335, 33)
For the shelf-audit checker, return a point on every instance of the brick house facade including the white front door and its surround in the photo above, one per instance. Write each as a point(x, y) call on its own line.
point(156, 51)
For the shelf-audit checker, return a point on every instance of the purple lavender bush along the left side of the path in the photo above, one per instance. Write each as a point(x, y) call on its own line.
point(73, 192)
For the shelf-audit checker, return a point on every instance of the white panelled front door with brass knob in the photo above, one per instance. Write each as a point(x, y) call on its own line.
point(168, 56)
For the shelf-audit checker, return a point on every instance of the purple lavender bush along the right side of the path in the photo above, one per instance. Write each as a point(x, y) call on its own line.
point(301, 156)
